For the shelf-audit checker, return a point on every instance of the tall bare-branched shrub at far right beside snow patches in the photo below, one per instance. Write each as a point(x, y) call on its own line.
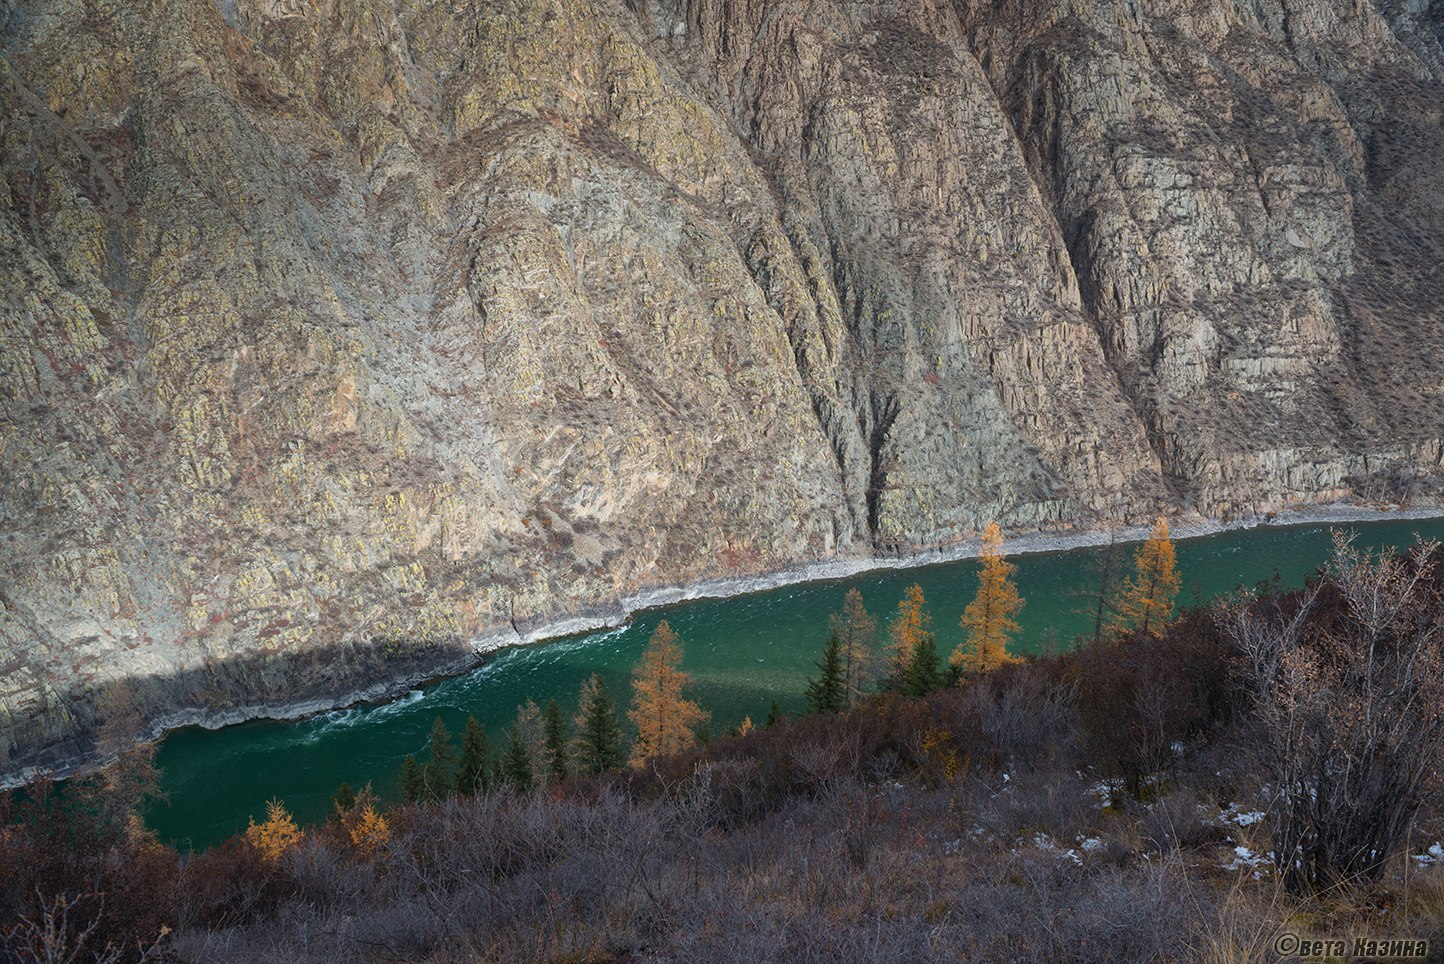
point(1349, 686)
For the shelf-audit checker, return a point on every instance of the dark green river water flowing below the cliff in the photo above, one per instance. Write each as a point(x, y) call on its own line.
point(743, 653)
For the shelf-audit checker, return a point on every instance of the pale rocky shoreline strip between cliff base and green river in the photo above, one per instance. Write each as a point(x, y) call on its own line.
point(1022, 545)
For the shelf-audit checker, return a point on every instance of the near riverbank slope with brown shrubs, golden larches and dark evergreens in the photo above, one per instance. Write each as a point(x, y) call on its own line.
point(1188, 787)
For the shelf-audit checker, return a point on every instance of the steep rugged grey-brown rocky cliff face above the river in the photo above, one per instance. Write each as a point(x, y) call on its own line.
point(339, 333)
